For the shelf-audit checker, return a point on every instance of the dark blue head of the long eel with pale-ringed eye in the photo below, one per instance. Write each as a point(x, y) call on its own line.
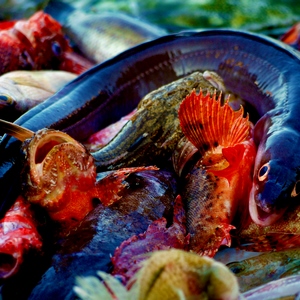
point(276, 176)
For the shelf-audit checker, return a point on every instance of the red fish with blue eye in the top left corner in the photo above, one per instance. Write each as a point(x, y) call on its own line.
point(38, 43)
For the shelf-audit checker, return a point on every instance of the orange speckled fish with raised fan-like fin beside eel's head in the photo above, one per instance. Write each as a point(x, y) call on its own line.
point(222, 177)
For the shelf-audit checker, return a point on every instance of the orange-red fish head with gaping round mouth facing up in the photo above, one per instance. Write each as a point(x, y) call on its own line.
point(59, 175)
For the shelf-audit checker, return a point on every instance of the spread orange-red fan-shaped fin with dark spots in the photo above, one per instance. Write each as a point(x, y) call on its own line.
point(208, 124)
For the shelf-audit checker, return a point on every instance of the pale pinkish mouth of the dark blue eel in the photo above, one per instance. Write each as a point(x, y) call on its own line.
point(260, 216)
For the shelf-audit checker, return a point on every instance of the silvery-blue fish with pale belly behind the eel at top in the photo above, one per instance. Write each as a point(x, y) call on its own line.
point(100, 36)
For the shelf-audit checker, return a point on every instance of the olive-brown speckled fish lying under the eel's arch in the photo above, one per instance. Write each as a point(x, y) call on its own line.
point(151, 135)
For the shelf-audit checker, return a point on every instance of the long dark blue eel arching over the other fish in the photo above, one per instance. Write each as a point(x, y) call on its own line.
point(262, 71)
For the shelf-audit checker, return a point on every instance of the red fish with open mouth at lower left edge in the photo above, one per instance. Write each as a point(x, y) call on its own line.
point(18, 235)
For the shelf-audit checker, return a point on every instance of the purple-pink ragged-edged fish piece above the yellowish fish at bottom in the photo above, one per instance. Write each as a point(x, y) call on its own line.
point(128, 257)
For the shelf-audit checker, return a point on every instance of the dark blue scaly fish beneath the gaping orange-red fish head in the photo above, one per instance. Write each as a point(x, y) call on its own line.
point(149, 195)
